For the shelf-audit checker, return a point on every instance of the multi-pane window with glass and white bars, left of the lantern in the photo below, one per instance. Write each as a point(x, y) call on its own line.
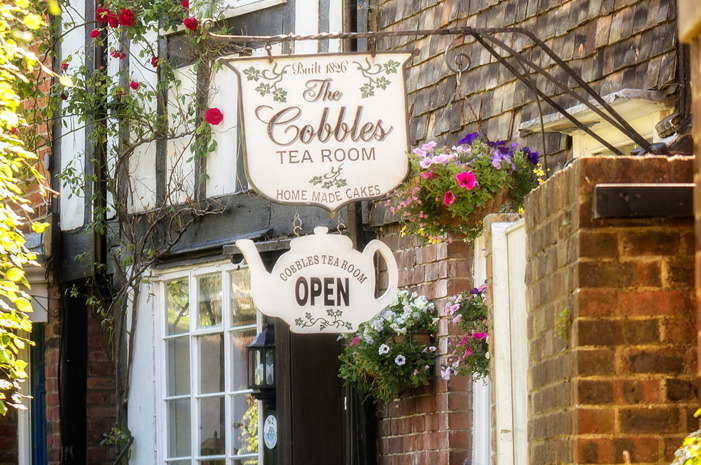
point(209, 416)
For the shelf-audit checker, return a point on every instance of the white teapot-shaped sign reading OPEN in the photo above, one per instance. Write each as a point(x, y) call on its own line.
point(322, 284)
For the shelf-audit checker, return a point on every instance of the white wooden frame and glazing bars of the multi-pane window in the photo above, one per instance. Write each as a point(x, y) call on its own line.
point(192, 273)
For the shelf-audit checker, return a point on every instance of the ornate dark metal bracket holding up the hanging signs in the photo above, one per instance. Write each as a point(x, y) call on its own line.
point(512, 60)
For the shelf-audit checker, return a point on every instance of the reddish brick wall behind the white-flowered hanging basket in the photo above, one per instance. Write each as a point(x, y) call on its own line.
point(431, 424)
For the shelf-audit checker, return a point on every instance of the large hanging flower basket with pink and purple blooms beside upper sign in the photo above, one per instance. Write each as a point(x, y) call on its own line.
point(449, 191)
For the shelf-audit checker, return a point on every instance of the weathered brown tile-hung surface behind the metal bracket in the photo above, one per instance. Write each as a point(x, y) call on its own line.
point(614, 44)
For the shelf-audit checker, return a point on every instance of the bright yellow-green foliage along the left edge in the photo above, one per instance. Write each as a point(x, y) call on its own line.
point(18, 21)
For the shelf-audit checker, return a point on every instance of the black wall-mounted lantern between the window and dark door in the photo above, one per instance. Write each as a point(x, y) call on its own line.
point(261, 366)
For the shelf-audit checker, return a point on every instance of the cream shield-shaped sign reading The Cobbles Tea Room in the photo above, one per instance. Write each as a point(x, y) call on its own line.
point(324, 129)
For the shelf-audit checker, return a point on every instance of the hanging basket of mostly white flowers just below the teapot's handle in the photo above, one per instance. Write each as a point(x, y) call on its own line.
point(387, 355)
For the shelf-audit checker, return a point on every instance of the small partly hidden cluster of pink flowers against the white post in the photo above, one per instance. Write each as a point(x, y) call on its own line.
point(470, 355)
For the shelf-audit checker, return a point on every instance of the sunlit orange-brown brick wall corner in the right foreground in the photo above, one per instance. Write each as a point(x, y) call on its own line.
point(623, 378)
